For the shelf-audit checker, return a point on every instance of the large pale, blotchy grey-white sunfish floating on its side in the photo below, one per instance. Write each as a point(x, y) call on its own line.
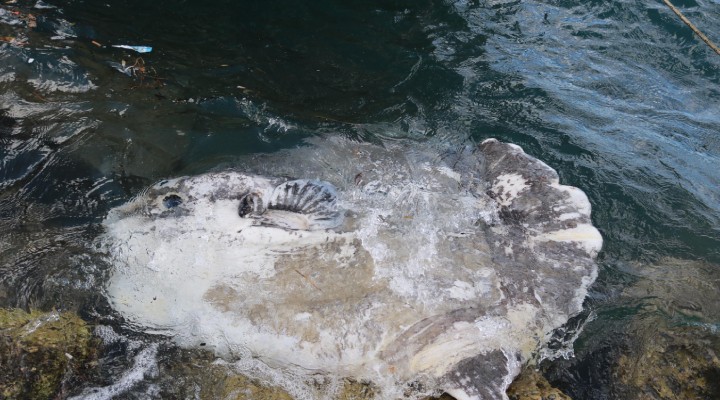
point(396, 264)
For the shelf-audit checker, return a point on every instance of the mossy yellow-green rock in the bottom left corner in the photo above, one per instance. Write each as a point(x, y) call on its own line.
point(41, 350)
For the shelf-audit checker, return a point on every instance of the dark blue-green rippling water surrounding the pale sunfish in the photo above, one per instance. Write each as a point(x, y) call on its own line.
point(620, 97)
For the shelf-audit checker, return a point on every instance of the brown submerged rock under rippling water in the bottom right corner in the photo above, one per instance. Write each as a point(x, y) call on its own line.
point(673, 349)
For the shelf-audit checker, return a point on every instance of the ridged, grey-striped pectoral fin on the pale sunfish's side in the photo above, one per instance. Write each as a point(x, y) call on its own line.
point(303, 204)
